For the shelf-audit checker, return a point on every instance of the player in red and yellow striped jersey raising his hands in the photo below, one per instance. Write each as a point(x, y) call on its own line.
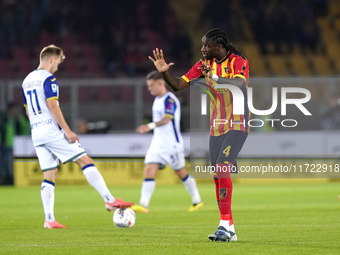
point(222, 64)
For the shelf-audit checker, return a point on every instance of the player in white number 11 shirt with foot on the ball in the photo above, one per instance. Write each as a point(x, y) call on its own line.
point(52, 137)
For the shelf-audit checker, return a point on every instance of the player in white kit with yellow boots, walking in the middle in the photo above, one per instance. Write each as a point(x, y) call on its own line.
point(166, 145)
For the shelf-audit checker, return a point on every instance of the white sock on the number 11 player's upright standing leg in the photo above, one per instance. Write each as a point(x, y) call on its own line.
point(47, 197)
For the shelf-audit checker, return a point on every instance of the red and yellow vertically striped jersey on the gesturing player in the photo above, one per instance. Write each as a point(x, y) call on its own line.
point(231, 66)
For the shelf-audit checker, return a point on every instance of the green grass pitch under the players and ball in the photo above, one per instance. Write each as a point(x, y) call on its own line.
point(269, 219)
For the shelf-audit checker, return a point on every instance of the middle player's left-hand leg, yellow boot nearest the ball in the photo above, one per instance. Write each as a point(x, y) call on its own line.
point(148, 187)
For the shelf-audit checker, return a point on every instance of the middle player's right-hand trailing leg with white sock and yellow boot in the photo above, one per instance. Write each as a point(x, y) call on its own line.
point(191, 186)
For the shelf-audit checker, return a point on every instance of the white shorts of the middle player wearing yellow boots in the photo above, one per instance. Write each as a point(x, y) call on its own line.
point(176, 160)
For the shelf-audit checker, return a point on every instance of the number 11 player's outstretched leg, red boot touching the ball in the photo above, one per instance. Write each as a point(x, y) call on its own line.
point(96, 180)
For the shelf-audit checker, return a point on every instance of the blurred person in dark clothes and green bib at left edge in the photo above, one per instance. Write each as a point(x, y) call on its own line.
point(12, 123)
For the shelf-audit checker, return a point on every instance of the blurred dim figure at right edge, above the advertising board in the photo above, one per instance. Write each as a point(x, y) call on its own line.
point(331, 119)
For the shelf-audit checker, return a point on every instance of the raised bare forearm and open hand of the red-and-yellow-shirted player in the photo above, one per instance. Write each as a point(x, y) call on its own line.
point(162, 67)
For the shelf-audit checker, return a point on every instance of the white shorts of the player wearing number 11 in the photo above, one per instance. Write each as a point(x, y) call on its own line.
point(50, 153)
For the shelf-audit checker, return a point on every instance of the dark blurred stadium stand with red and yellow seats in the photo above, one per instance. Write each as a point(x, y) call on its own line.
point(280, 38)
